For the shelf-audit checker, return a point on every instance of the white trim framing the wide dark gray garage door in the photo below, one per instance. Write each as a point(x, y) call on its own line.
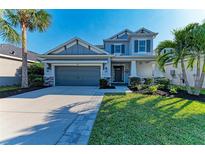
point(54, 65)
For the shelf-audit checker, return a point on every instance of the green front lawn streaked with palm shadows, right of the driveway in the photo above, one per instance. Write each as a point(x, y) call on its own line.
point(142, 119)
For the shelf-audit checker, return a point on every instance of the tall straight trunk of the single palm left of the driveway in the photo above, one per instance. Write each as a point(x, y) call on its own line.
point(24, 83)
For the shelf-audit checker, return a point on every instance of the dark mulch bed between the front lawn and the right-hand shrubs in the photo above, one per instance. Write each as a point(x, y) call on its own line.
point(180, 94)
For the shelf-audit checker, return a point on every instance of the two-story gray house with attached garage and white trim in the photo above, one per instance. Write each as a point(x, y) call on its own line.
point(124, 55)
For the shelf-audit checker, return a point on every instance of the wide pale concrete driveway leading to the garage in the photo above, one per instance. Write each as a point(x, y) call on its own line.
point(56, 115)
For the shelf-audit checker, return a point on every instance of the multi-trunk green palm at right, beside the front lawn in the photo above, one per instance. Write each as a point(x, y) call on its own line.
point(188, 44)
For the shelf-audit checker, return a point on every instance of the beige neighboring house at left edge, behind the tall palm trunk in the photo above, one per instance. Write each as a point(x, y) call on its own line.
point(10, 64)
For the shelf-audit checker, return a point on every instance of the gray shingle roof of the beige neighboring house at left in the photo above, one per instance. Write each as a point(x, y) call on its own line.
point(11, 50)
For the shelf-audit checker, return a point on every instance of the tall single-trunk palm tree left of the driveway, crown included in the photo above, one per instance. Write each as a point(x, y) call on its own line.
point(28, 20)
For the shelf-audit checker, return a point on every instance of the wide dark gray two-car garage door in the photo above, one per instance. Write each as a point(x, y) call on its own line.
point(77, 75)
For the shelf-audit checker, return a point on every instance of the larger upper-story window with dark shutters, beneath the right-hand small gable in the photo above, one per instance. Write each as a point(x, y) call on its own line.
point(142, 46)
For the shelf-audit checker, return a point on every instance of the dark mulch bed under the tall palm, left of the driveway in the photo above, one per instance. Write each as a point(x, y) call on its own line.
point(8, 93)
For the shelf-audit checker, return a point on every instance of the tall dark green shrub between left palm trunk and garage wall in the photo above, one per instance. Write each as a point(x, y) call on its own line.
point(35, 74)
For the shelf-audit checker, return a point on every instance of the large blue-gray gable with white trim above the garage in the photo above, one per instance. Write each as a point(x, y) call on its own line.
point(77, 46)
